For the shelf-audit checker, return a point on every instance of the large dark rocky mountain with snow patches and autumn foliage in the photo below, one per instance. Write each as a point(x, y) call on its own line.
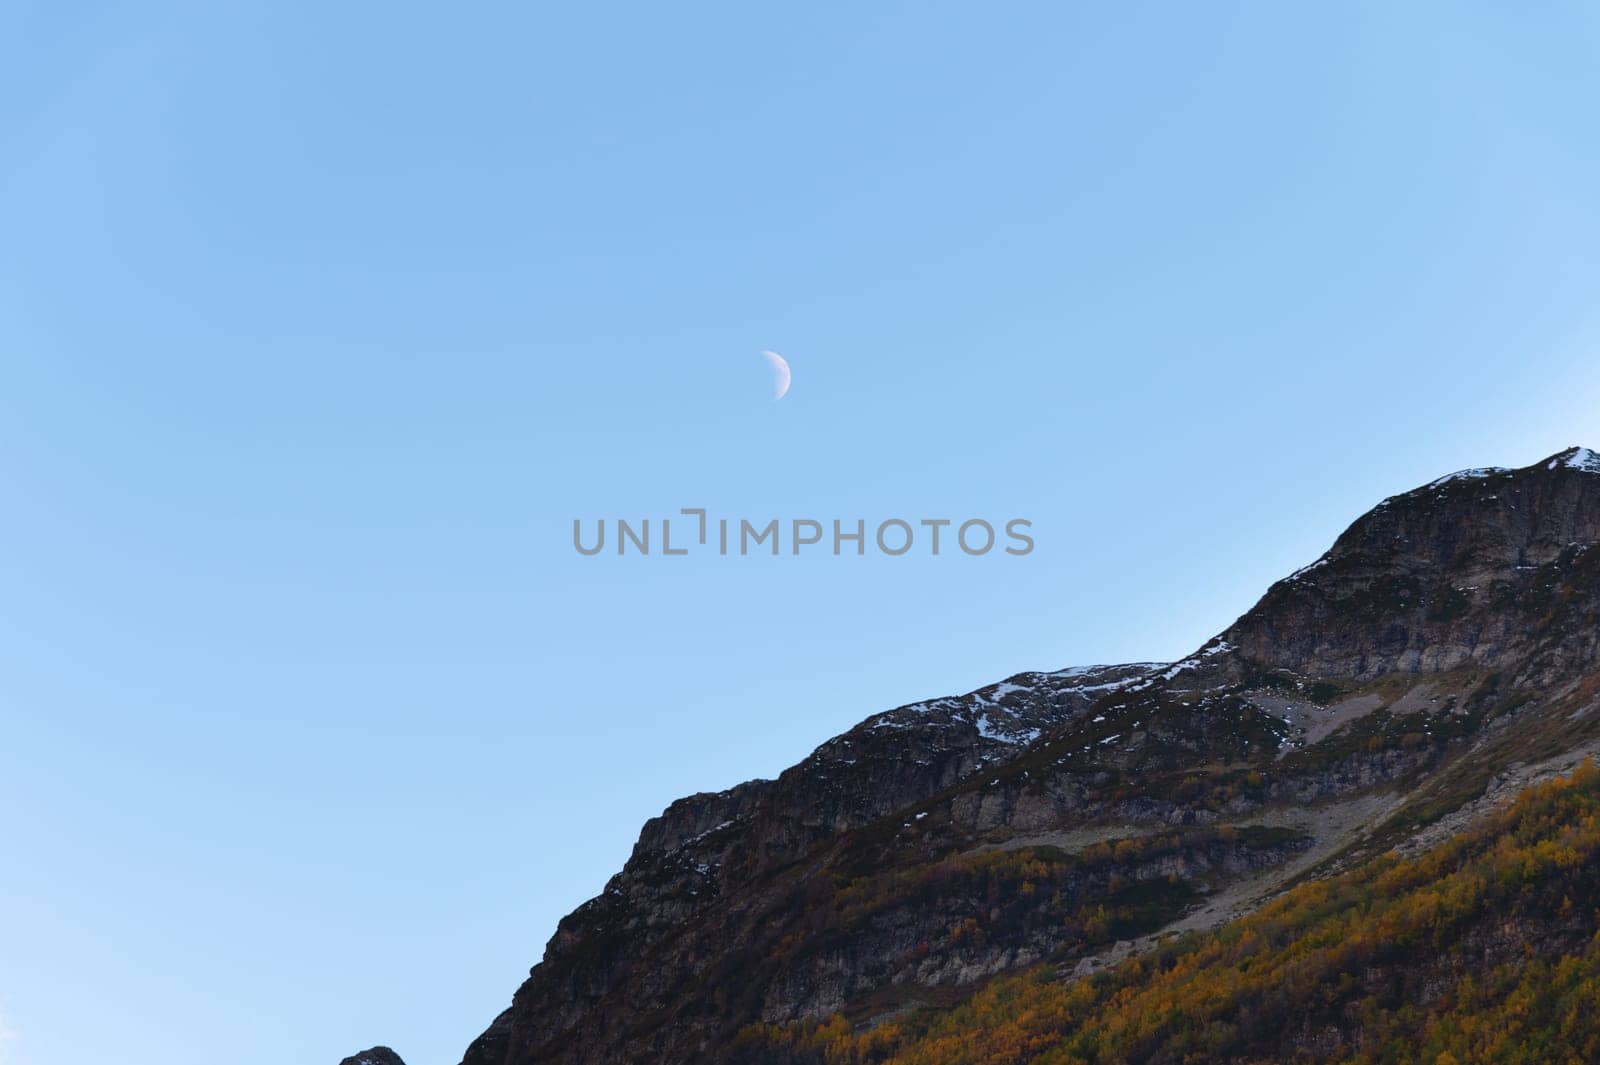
point(1057, 836)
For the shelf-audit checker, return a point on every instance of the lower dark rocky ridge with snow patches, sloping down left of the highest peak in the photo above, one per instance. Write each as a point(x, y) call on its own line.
point(711, 847)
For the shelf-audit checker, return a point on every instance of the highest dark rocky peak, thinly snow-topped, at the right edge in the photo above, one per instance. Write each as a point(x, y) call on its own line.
point(1444, 576)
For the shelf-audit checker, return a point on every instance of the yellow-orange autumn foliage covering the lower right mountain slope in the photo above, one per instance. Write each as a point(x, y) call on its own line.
point(1306, 963)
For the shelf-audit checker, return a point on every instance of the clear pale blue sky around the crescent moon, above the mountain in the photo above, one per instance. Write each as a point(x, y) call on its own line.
point(321, 324)
